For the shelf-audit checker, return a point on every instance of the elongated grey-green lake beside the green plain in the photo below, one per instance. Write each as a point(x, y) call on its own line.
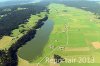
point(34, 48)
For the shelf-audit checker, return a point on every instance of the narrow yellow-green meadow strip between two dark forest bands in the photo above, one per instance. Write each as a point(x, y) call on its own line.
point(16, 34)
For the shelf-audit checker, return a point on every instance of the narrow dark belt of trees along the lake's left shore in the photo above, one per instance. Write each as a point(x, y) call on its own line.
point(9, 57)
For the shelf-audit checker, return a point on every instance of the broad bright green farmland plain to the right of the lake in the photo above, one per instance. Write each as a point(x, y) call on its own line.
point(75, 30)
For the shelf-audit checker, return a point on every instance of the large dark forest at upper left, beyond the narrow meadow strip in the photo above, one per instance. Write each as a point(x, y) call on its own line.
point(11, 17)
